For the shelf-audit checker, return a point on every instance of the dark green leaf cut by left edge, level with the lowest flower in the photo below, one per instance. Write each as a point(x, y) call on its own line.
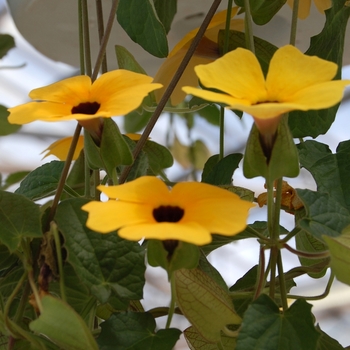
point(19, 218)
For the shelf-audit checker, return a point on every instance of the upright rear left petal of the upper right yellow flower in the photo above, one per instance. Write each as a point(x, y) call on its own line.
point(238, 73)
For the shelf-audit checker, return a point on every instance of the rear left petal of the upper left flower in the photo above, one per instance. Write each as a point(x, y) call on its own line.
point(70, 91)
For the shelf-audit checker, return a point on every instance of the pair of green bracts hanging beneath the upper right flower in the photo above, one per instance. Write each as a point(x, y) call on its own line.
point(283, 161)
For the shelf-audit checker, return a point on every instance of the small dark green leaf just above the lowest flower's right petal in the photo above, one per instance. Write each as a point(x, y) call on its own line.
point(220, 172)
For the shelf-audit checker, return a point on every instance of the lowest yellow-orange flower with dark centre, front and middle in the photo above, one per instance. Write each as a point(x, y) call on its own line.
point(146, 208)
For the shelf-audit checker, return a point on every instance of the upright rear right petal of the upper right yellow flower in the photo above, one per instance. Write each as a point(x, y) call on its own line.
point(300, 71)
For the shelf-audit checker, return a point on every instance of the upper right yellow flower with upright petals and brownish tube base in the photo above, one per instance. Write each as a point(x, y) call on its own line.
point(294, 82)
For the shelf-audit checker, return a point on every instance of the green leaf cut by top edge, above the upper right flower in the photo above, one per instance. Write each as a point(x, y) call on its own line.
point(262, 10)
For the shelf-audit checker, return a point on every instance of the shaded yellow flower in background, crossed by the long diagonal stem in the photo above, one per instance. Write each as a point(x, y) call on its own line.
point(207, 51)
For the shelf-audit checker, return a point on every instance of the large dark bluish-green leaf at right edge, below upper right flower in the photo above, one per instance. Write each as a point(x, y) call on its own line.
point(327, 210)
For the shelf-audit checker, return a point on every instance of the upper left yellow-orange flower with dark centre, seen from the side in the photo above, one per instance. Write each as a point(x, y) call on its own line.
point(114, 93)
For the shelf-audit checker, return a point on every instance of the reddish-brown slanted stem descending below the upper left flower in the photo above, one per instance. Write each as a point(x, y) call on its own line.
point(64, 174)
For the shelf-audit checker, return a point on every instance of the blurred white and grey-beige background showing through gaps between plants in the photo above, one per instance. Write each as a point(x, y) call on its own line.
point(49, 26)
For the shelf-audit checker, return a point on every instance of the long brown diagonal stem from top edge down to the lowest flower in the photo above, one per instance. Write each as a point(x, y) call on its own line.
point(152, 122)
